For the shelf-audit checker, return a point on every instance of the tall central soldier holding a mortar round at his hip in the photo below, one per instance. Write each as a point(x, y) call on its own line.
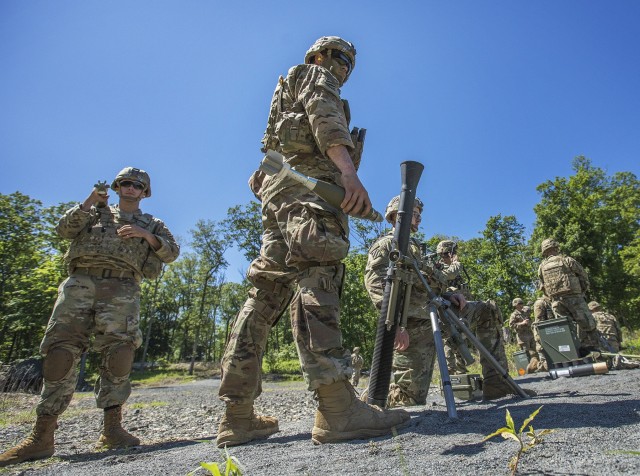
point(303, 244)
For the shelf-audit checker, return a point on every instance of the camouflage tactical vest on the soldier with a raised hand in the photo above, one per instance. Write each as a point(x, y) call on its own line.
point(100, 237)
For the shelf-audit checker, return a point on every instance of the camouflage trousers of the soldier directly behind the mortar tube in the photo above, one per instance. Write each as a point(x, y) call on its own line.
point(413, 368)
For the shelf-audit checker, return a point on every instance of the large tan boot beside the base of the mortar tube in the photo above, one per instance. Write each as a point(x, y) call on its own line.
point(342, 416)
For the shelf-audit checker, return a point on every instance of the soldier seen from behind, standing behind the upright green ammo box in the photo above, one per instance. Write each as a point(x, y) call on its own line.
point(565, 282)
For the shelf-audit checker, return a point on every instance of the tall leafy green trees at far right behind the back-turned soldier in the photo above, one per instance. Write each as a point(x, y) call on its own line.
point(596, 220)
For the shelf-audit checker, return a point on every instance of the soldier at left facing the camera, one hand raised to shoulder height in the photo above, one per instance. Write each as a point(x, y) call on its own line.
point(113, 248)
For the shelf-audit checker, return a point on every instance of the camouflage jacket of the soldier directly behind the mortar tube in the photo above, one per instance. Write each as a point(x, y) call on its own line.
point(376, 272)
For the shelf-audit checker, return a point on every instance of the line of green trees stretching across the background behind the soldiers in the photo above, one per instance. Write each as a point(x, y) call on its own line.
point(186, 313)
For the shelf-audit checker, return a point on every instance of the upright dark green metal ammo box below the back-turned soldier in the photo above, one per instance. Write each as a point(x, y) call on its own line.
point(559, 341)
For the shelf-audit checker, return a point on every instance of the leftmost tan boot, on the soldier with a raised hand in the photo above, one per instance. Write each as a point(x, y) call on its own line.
point(38, 445)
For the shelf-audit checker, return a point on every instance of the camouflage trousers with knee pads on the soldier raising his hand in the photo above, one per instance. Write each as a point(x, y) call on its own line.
point(107, 309)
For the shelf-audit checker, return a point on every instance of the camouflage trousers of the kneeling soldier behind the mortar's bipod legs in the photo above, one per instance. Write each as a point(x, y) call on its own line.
point(485, 321)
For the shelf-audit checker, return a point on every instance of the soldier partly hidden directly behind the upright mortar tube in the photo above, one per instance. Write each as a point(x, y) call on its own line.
point(412, 366)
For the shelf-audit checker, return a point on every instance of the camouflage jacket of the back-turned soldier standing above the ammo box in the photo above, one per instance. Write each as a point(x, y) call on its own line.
point(562, 276)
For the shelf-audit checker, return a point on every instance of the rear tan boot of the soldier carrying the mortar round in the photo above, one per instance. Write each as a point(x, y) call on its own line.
point(240, 425)
